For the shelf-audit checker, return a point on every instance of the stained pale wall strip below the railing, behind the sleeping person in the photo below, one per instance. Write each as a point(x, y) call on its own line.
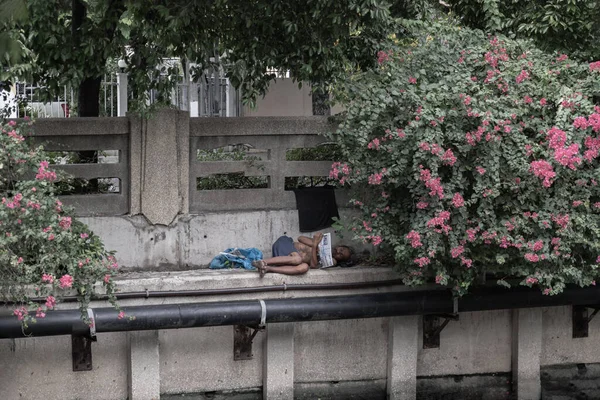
point(192, 241)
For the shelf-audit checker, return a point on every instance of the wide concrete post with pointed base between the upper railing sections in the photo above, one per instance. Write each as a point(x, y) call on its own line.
point(159, 186)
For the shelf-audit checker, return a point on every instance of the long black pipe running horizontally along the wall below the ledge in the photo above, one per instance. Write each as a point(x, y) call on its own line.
point(249, 312)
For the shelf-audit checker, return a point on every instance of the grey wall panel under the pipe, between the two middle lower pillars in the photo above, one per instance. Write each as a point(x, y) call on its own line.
point(347, 350)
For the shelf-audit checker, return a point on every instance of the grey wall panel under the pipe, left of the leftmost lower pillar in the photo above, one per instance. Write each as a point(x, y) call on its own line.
point(42, 368)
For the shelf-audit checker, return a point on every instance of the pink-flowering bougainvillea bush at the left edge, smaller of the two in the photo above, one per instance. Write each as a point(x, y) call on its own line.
point(44, 252)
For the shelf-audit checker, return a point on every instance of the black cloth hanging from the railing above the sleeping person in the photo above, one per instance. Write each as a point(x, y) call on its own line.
point(316, 207)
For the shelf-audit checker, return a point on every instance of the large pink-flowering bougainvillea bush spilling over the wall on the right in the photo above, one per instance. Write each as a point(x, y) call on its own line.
point(475, 155)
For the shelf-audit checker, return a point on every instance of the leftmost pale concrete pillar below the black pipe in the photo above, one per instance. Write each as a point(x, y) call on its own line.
point(144, 365)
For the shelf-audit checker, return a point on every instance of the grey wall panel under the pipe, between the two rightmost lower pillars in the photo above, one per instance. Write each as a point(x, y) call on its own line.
point(479, 343)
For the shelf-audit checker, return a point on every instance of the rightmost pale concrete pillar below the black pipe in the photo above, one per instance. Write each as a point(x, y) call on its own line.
point(526, 353)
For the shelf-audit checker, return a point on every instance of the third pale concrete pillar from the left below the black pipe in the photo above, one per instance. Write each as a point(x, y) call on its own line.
point(403, 345)
